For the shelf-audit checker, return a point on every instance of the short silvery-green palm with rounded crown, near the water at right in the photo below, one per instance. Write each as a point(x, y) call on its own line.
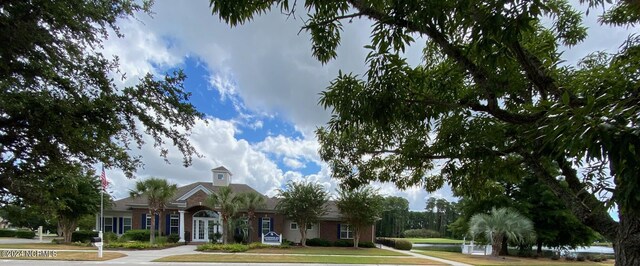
point(503, 222)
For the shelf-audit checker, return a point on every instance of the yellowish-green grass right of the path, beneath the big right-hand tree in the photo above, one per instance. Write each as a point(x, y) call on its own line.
point(508, 260)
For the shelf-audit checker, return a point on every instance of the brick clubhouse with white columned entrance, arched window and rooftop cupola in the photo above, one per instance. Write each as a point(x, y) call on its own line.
point(188, 216)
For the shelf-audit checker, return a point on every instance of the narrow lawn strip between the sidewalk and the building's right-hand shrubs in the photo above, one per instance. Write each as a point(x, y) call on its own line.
point(328, 251)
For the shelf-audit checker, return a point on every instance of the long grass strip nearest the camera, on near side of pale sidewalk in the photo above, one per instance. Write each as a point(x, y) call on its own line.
point(295, 259)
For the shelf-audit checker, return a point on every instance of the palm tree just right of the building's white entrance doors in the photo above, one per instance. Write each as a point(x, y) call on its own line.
point(227, 203)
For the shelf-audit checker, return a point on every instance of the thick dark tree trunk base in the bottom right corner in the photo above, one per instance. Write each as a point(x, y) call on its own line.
point(627, 244)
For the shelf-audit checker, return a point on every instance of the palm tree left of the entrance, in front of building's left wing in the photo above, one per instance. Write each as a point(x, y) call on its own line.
point(158, 192)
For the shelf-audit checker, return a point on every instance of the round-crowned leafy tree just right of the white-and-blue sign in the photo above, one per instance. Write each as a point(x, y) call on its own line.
point(303, 203)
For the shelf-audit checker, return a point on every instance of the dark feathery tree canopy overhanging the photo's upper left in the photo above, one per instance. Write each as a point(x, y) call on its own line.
point(59, 103)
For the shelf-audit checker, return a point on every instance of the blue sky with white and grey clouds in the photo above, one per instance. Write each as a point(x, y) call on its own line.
point(259, 87)
